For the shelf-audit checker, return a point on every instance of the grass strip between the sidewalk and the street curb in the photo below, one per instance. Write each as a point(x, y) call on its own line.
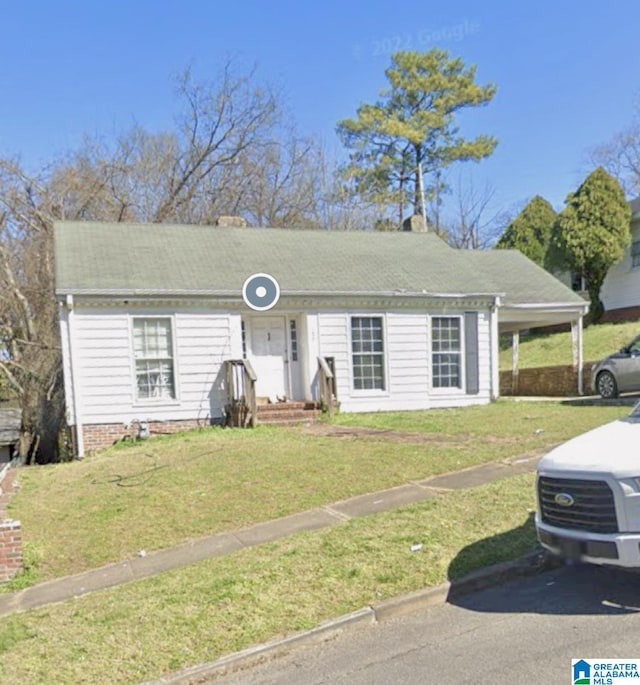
point(148, 628)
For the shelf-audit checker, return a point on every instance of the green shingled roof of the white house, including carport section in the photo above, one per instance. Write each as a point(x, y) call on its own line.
point(159, 259)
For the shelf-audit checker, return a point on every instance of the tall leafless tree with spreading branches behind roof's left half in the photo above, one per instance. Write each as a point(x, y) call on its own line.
point(189, 175)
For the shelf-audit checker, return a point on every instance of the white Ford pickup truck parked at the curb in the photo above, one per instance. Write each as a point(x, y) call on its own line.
point(588, 493)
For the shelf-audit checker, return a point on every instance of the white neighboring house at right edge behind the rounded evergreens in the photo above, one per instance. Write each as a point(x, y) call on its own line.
point(620, 293)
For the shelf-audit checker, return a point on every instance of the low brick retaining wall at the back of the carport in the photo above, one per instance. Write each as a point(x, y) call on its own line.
point(546, 381)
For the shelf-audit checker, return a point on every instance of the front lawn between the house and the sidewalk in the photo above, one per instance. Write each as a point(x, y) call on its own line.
point(159, 493)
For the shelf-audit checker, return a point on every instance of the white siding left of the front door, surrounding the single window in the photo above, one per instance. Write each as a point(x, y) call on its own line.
point(106, 383)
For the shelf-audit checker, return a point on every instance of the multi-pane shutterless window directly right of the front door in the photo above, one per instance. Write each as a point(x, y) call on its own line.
point(367, 351)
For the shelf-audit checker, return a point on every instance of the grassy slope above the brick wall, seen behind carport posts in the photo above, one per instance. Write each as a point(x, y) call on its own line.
point(554, 349)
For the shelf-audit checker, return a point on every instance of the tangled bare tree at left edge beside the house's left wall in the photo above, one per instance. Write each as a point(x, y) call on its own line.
point(29, 344)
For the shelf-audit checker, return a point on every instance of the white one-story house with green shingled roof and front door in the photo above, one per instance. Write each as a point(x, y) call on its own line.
point(151, 315)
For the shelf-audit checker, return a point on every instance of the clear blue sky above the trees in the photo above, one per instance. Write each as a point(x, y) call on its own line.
point(567, 73)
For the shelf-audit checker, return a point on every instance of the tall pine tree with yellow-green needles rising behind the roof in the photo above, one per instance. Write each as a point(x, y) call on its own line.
point(411, 131)
